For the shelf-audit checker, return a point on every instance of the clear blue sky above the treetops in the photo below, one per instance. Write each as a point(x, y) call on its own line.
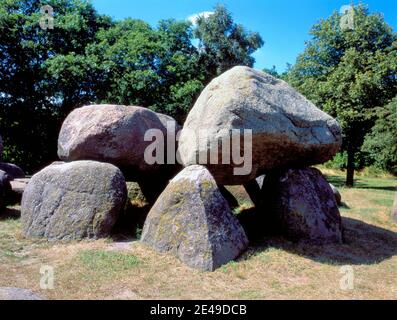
point(283, 24)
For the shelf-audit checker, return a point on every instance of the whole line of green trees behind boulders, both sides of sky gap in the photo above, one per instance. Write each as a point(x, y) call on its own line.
point(90, 58)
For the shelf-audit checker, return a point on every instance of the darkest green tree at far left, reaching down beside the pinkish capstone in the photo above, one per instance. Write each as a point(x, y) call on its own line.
point(32, 100)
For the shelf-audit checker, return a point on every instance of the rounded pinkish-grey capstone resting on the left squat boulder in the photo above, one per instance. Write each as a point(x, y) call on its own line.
point(111, 133)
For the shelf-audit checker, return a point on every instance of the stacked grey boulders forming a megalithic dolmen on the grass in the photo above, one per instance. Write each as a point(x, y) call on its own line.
point(279, 132)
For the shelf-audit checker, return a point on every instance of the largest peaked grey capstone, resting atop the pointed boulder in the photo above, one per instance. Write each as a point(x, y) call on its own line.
point(287, 129)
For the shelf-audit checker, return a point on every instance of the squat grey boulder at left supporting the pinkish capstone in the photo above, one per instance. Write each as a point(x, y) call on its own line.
point(72, 201)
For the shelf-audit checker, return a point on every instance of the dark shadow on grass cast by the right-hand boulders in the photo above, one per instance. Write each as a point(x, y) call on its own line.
point(365, 244)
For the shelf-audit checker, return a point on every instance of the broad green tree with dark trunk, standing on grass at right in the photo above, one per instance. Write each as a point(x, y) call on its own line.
point(348, 73)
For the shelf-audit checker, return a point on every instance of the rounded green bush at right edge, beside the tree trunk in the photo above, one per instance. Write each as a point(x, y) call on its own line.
point(381, 143)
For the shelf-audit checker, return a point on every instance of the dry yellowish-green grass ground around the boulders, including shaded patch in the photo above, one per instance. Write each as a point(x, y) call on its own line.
point(272, 268)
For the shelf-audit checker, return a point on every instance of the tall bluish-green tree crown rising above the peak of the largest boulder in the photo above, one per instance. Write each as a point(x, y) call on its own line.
point(224, 44)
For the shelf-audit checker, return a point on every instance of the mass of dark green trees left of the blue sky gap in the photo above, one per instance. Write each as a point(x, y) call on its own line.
point(88, 58)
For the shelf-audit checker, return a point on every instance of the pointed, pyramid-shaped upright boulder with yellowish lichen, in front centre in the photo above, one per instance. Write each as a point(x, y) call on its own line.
point(192, 220)
